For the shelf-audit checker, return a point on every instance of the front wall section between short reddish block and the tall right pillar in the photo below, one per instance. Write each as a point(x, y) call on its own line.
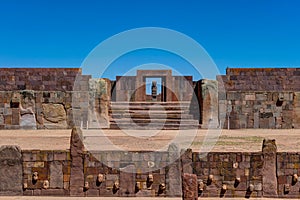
point(225, 169)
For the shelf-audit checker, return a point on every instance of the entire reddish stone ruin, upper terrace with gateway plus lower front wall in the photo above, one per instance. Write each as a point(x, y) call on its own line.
point(61, 98)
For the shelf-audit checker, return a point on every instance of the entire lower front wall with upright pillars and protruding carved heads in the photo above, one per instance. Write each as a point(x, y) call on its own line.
point(77, 172)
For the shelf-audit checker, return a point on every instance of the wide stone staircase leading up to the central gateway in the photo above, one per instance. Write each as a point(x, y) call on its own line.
point(151, 115)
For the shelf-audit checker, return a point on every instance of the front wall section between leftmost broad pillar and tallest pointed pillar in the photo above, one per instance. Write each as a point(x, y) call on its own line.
point(52, 172)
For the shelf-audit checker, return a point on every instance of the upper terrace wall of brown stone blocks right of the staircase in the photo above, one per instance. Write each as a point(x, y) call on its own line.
point(259, 98)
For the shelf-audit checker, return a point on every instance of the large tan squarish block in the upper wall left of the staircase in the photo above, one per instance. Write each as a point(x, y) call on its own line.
point(54, 116)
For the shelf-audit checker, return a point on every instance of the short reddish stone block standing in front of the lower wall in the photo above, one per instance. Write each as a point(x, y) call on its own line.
point(189, 187)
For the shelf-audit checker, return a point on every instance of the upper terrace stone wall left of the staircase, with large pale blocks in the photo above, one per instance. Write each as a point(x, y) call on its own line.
point(41, 97)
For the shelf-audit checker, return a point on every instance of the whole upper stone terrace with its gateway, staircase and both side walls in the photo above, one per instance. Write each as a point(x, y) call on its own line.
point(59, 98)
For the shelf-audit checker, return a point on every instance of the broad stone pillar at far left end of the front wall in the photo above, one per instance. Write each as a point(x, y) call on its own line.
point(11, 171)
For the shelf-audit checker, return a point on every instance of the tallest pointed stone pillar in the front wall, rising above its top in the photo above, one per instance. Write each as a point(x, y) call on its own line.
point(77, 176)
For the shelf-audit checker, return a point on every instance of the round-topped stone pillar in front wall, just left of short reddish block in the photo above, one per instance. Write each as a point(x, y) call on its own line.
point(173, 176)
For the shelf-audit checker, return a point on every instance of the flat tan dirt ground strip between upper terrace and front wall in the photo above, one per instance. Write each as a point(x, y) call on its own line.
point(243, 140)
